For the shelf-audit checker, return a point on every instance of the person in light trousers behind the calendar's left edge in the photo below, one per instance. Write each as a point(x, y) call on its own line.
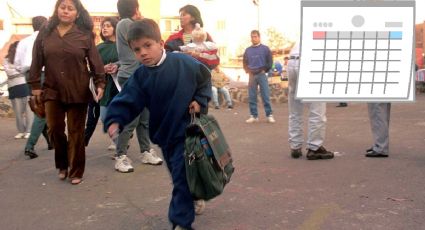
point(316, 117)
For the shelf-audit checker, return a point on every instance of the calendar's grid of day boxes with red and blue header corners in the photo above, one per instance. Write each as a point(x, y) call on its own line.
point(373, 37)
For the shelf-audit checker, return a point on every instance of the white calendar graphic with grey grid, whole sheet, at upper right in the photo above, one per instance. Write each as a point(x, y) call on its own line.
point(357, 51)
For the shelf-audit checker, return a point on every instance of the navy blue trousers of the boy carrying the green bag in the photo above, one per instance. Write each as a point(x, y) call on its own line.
point(181, 211)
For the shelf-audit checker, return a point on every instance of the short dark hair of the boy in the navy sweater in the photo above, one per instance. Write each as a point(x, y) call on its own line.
point(145, 28)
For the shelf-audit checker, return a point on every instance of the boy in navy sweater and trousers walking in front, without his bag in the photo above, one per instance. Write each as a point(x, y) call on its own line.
point(171, 86)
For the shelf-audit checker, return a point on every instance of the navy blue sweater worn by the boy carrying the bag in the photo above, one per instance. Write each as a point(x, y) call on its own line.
point(166, 90)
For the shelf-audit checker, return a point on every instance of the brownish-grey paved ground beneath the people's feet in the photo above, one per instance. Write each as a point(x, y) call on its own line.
point(268, 190)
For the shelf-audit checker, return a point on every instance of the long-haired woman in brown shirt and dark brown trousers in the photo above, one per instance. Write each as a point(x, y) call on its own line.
point(65, 48)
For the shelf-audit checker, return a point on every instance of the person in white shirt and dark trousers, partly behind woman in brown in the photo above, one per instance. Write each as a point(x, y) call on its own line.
point(23, 59)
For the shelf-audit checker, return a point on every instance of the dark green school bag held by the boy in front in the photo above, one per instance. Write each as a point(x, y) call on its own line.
point(208, 158)
